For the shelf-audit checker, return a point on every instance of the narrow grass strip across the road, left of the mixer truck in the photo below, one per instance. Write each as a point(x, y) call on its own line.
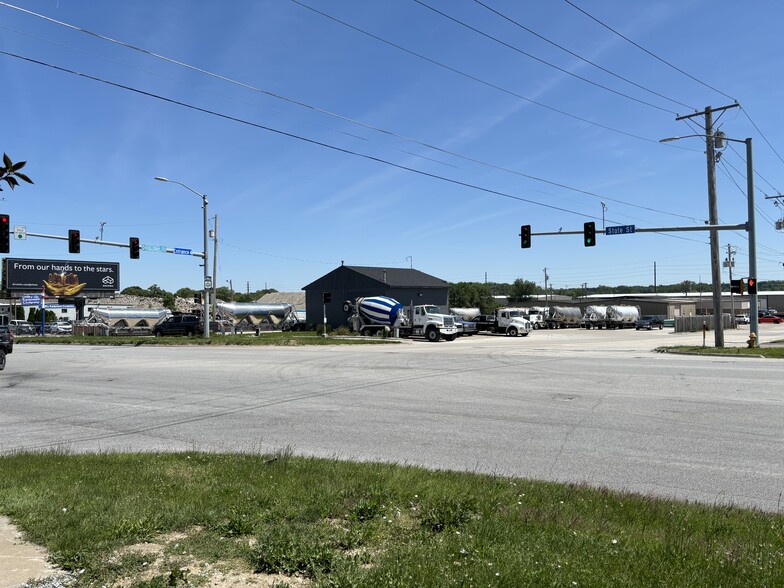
point(273, 338)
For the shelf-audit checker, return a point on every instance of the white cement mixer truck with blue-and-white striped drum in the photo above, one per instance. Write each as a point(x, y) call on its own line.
point(380, 314)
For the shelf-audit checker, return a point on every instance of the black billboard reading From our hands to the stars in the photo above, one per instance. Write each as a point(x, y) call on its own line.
point(61, 278)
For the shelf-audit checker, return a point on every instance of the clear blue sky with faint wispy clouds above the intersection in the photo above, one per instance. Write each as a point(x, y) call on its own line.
point(335, 182)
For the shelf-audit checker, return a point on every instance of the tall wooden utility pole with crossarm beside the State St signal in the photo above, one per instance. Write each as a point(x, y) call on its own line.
point(713, 218)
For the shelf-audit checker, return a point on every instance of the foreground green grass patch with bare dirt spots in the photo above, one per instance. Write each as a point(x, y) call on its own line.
point(342, 524)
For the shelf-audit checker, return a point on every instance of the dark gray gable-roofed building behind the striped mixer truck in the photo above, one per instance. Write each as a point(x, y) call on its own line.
point(349, 282)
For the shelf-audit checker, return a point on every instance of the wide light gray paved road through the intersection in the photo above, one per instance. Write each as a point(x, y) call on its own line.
point(569, 405)
